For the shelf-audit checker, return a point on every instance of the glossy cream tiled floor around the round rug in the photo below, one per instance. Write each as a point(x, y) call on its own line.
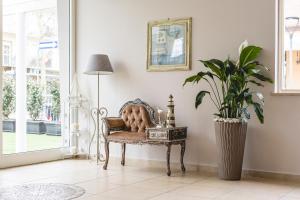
point(147, 183)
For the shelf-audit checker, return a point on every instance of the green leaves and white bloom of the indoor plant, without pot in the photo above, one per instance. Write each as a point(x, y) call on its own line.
point(229, 82)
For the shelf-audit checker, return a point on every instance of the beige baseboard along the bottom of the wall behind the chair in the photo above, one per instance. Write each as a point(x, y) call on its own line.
point(205, 169)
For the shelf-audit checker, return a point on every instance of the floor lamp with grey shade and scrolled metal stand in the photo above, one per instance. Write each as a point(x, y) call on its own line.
point(98, 64)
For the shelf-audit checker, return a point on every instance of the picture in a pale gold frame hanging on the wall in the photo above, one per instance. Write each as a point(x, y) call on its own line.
point(169, 45)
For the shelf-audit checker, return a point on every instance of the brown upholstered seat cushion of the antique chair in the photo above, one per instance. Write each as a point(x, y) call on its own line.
point(126, 136)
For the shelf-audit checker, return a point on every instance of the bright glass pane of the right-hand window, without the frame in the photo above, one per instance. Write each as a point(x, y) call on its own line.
point(291, 58)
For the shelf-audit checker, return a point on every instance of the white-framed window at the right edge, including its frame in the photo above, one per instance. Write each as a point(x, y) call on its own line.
point(288, 77)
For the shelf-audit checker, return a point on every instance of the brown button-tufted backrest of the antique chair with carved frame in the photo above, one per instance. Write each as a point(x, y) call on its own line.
point(137, 115)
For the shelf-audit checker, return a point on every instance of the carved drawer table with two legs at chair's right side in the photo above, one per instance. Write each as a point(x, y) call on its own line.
point(168, 137)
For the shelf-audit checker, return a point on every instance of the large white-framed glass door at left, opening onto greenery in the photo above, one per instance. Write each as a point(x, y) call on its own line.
point(35, 78)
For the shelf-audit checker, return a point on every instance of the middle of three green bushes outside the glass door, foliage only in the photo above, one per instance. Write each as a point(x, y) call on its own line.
point(35, 99)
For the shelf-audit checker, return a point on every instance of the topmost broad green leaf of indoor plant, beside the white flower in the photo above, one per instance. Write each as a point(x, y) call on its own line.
point(249, 54)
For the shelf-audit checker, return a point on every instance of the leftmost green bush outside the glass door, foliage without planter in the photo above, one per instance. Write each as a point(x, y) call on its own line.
point(8, 97)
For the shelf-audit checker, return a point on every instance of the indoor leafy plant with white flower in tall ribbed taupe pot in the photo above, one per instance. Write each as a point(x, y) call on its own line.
point(230, 91)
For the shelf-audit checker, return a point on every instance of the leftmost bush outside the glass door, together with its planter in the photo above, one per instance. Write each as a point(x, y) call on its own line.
point(8, 104)
